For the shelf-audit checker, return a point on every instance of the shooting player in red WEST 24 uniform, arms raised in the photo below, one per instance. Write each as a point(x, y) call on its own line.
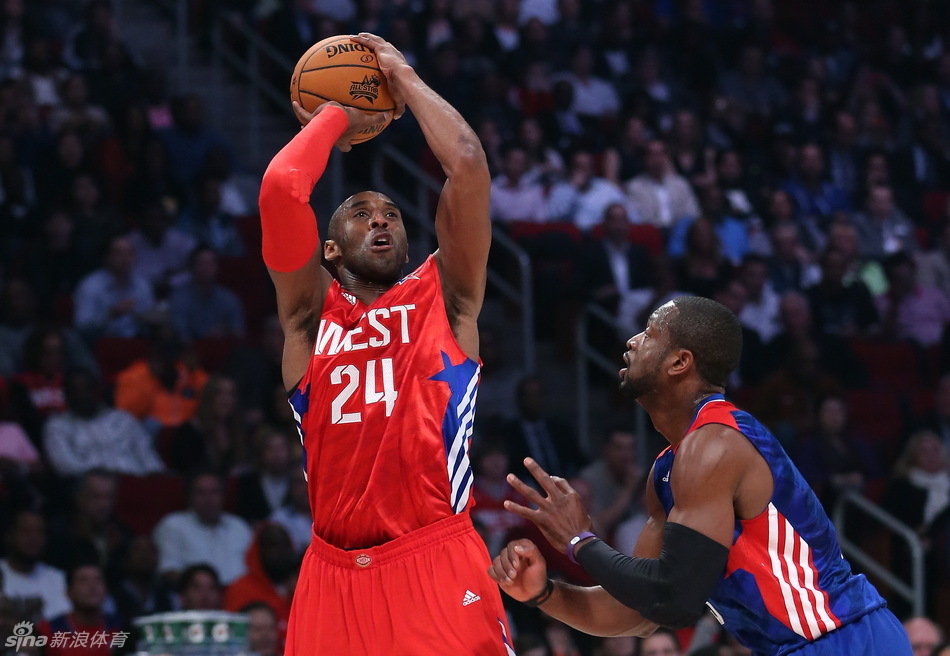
point(382, 371)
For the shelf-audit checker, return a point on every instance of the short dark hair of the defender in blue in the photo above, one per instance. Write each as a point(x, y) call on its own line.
point(711, 332)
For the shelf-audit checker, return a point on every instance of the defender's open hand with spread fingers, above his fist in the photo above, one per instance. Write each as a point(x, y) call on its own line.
point(560, 515)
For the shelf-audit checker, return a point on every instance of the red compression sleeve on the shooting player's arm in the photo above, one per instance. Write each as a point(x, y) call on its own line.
point(288, 224)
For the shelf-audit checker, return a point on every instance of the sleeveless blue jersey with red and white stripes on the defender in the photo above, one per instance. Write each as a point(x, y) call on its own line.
point(786, 582)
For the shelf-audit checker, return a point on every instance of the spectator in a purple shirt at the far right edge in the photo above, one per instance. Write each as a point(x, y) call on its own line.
point(908, 310)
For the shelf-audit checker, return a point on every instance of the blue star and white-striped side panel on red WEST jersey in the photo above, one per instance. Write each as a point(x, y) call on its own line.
point(457, 424)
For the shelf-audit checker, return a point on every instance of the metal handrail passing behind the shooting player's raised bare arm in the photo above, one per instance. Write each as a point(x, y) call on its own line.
point(419, 209)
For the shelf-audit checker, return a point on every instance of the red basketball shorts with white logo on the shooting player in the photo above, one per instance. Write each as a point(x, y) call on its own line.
point(426, 593)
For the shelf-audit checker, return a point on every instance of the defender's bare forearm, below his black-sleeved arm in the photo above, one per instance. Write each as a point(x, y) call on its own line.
point(594, 612)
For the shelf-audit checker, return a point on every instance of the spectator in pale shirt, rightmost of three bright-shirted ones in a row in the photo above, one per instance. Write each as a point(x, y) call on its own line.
point(659, 195)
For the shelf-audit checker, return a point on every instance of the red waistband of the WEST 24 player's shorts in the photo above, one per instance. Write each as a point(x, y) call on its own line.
point(401, 547)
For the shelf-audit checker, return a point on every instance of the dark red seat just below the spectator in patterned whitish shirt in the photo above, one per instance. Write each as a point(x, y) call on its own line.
point(143, 500)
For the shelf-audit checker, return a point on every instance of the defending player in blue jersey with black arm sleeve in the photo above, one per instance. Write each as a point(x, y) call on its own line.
point(732, 525)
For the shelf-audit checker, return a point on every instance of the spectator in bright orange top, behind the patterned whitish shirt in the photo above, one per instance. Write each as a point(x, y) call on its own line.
point(161, 390)
